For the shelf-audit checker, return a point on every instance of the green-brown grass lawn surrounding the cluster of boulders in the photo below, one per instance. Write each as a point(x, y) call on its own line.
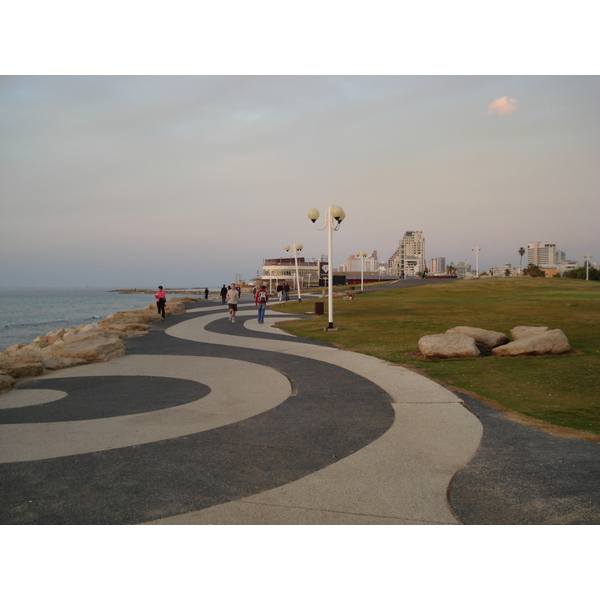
point(553, 392)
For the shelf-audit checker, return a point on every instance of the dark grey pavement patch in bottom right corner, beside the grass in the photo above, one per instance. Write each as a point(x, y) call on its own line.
point(524, 476)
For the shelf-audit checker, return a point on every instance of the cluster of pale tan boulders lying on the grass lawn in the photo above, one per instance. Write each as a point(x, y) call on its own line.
point(467, 342)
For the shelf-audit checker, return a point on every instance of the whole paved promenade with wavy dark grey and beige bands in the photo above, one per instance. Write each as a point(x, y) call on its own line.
point(205, 421)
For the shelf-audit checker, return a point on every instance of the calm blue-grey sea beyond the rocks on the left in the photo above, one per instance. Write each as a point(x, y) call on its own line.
point(26, 313)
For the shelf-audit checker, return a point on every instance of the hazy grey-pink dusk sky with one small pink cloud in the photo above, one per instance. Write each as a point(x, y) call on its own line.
point(135, 181)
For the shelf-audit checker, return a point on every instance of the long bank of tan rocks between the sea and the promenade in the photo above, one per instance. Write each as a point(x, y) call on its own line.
point(98, 342)
